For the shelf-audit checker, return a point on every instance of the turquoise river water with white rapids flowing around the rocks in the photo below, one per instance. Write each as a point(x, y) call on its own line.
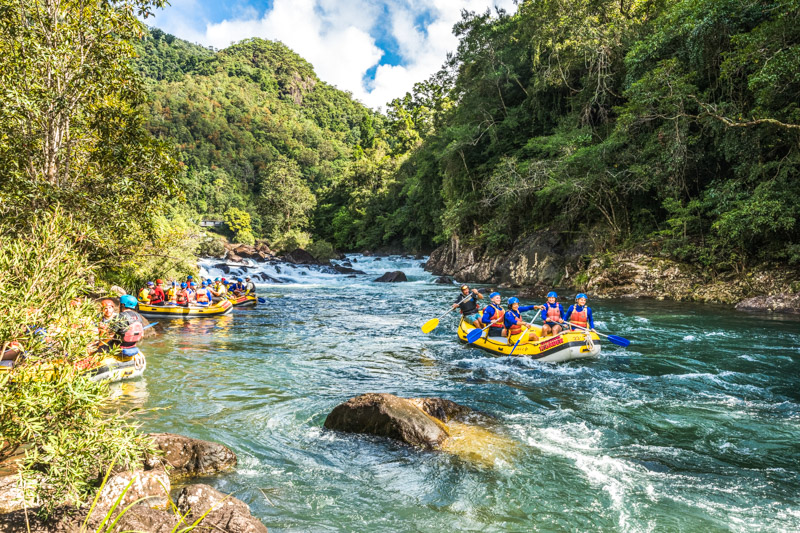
point(695, 426)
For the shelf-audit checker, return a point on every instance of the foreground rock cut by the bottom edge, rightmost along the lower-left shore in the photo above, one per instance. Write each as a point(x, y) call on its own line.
point(226, 512)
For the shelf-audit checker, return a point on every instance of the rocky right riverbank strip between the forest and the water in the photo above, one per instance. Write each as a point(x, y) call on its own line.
point(543, 261)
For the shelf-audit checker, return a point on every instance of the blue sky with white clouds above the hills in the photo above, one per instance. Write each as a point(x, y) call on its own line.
point(376, 49)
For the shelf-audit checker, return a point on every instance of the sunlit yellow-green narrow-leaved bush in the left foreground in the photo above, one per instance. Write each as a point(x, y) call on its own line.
point(64, 422)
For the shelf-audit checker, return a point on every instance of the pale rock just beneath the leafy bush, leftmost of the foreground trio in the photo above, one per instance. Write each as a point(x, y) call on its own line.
point(150, 487)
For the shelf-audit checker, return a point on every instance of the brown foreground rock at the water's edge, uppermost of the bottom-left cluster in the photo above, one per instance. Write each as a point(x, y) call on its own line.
point(190, 457)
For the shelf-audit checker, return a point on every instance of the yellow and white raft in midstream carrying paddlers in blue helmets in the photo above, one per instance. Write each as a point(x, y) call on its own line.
point(563, 347)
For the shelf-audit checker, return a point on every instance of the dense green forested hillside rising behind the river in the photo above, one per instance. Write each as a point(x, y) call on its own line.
point(671, 123)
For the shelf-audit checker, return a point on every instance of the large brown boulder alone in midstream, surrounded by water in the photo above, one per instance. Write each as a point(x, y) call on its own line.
point(387, 415)
